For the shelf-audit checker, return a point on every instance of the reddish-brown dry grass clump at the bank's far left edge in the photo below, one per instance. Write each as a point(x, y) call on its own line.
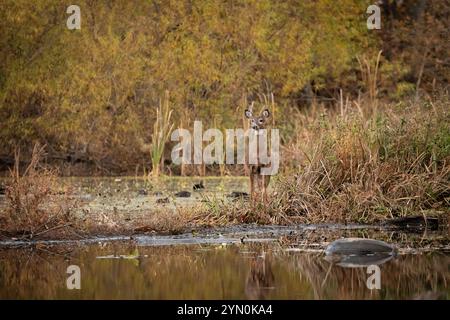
point(35, 202)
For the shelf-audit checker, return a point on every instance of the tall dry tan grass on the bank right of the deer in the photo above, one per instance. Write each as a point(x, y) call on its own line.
point(354, 164)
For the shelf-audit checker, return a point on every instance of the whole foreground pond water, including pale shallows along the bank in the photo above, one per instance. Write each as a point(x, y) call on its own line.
point(232, 263)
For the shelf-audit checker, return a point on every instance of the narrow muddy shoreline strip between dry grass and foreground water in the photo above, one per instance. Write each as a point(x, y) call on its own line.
point(232, 233)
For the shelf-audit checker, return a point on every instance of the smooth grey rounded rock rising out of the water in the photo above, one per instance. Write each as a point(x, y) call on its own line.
point(359, 252)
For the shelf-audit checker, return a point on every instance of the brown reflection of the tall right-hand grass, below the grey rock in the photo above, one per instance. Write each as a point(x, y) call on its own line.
point(401, 278)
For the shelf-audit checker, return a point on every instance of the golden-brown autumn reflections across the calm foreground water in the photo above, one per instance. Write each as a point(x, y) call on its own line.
point(212, 272)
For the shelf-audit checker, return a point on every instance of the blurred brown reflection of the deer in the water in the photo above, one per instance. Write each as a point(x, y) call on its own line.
point(260, 279)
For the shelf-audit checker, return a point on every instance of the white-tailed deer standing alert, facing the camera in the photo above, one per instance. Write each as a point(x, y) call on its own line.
point(258, 180)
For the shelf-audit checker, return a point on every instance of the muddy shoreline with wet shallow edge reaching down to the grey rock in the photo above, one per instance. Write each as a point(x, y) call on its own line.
point(296, 238)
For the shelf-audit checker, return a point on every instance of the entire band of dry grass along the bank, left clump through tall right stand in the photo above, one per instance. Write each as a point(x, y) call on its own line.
point(347, 164)
